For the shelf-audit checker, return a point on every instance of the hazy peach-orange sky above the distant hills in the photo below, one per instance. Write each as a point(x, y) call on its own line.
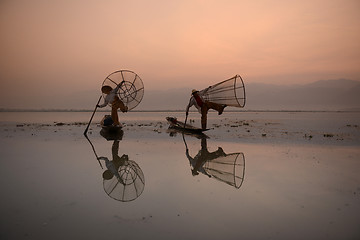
point(66, 46)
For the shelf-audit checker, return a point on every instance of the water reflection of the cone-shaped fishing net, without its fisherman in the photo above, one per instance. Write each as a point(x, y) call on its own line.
point(229, 169)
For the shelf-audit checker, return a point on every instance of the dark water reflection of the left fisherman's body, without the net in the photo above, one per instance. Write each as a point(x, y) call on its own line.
point(113, 166)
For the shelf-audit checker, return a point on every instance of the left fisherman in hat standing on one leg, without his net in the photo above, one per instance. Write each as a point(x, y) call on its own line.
point(113, 99)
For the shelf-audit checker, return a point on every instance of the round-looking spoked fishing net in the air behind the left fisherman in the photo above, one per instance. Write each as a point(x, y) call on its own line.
point(131, 90)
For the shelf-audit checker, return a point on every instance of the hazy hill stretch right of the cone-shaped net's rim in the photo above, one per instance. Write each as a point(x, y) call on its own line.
point(339, 94)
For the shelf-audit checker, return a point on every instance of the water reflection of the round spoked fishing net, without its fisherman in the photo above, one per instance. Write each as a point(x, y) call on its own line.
point(130, 184)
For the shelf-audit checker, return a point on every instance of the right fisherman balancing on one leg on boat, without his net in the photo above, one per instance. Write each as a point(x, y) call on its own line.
point(203, 106)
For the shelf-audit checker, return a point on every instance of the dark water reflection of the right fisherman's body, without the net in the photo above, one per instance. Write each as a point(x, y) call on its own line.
point(202, 157)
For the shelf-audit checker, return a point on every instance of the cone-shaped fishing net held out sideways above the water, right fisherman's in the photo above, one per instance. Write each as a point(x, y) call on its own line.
point(230, 92)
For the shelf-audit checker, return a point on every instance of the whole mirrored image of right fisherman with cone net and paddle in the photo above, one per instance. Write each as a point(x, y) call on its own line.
point(227, 168)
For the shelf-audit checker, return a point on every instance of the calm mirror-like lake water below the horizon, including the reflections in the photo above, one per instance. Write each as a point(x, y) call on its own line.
point(278, 188)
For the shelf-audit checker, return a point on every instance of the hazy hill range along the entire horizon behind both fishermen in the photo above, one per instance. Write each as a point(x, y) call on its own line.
point(341, 94)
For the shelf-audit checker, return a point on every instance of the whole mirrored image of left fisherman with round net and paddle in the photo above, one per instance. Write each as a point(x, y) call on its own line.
point(123, 179)
